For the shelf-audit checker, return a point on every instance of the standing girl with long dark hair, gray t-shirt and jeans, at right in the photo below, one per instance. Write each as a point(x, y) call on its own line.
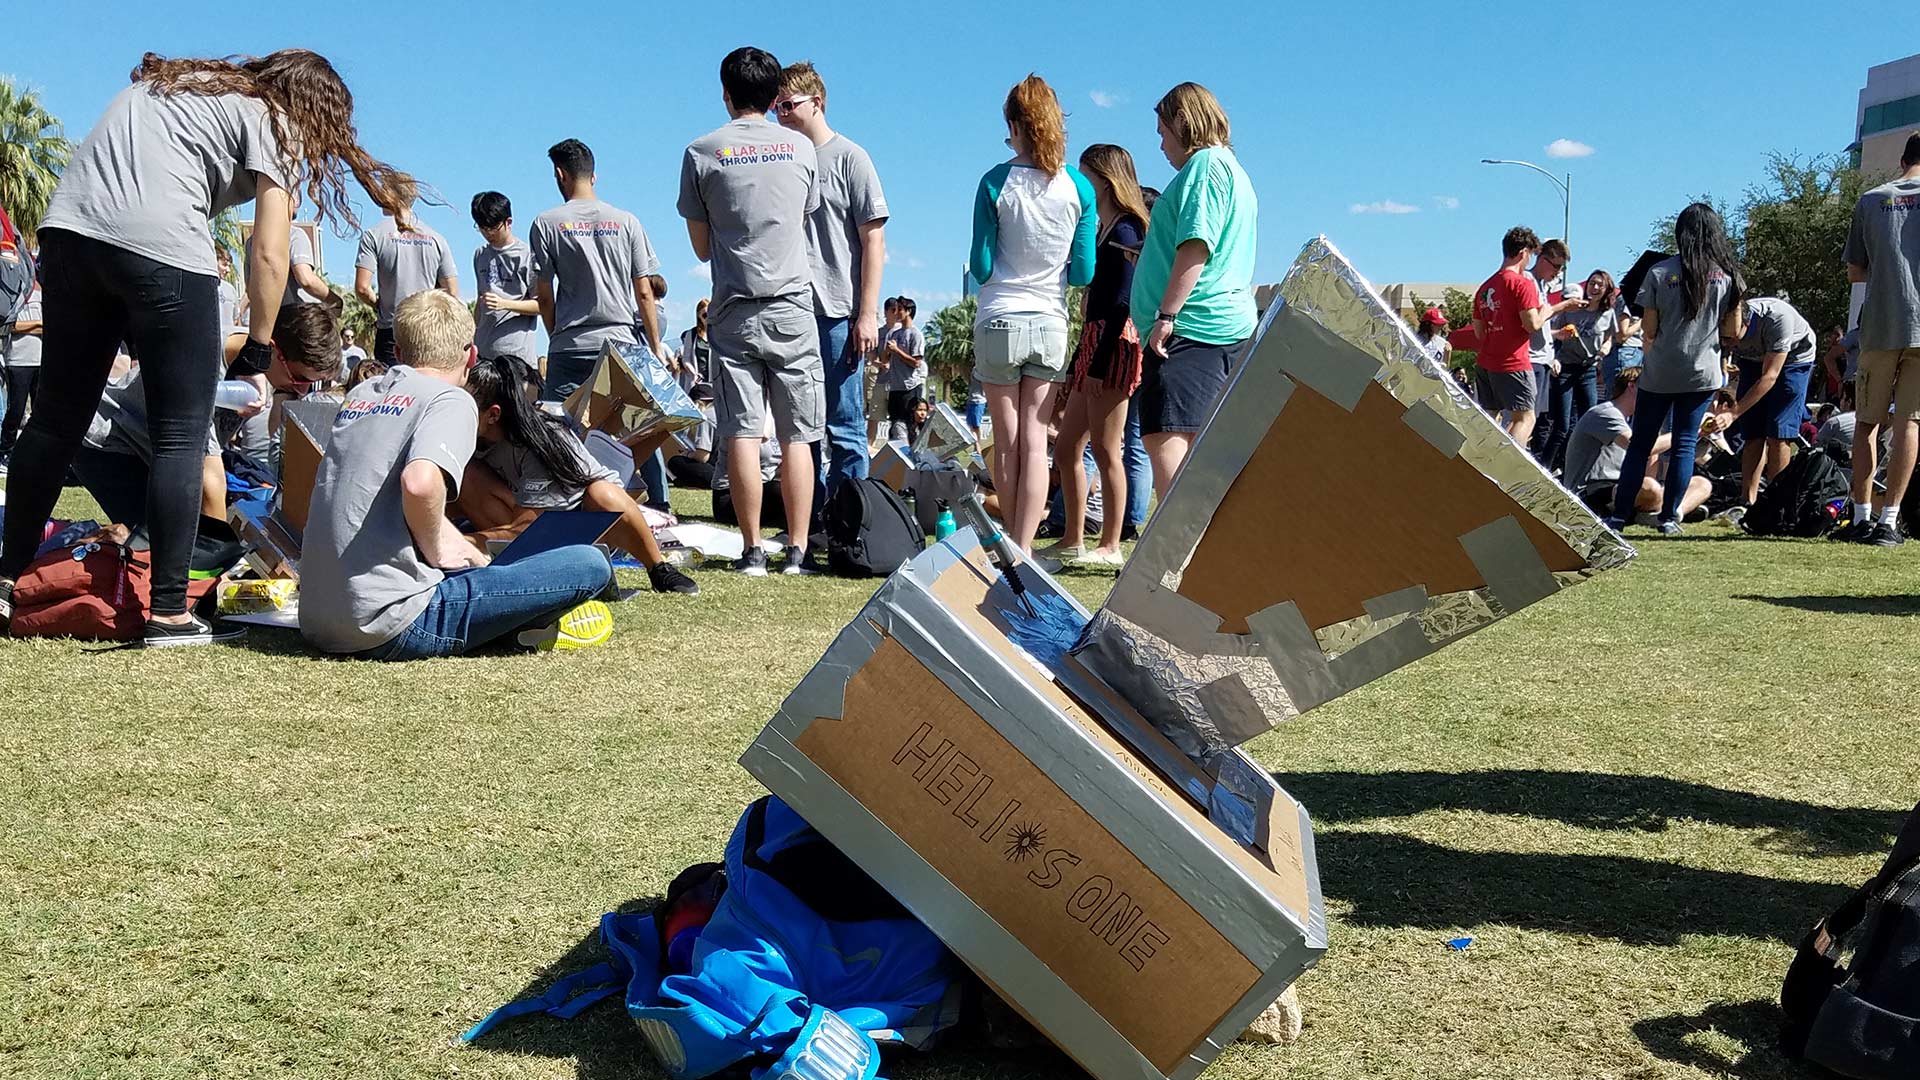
point(1691, 301)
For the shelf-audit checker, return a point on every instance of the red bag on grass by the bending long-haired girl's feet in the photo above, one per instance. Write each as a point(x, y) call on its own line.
point(95, 591)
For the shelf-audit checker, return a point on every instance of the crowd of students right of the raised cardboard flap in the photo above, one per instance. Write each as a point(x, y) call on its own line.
point(1604, 391)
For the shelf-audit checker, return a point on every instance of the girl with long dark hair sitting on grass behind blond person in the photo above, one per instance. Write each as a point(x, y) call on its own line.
point(531, 464)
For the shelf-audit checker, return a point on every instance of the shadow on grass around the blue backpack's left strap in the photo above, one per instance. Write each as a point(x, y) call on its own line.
point(602, 1043)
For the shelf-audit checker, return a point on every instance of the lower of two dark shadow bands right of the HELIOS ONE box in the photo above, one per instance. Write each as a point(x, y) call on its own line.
point(1399, 881)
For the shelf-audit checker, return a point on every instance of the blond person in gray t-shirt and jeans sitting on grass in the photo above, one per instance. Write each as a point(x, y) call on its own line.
point(385, 576)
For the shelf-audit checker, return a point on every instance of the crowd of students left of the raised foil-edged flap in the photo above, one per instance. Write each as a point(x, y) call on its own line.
point(439, 424)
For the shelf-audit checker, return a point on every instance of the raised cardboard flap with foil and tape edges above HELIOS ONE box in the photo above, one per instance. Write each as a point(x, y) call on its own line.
point(1345, 512)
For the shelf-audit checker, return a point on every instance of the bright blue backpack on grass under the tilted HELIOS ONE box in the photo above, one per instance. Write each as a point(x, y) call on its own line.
point(802, 958)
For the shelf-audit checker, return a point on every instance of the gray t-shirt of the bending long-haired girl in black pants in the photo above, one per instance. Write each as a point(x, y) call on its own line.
point(158, 168)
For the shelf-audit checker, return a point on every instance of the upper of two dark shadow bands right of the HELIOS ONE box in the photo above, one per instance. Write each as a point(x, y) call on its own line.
point(1596, 800)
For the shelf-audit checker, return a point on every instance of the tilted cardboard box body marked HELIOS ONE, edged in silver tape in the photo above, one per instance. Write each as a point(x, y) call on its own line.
point(1009, 808)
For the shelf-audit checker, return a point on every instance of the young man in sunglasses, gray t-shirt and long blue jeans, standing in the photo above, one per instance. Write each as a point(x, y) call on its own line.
point(850, 245)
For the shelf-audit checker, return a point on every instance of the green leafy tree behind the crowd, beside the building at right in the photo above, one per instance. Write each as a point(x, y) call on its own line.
point(1790, 232)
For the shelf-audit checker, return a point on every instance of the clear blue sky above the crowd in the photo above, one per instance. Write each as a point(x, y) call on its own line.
point(1362, 122)
